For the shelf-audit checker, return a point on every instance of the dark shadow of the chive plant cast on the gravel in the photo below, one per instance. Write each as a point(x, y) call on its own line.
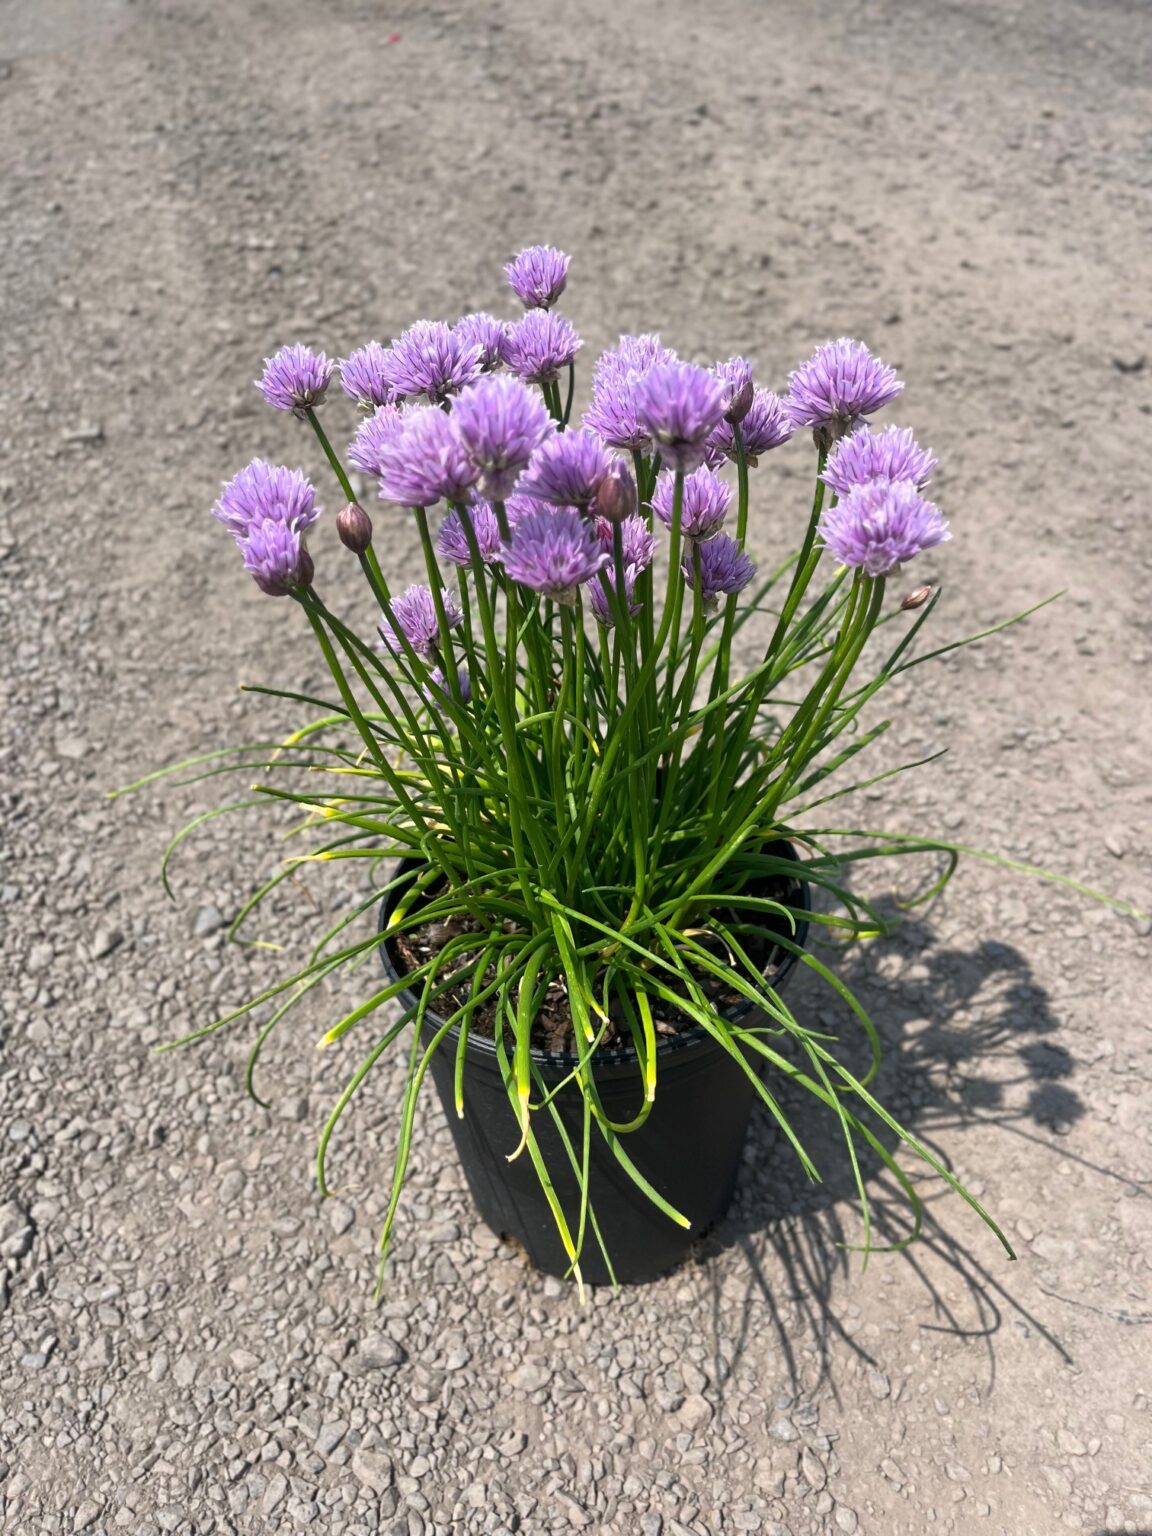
point(967, 1039)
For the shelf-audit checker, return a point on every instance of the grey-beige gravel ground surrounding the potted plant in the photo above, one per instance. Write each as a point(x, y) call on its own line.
point(187, 1334)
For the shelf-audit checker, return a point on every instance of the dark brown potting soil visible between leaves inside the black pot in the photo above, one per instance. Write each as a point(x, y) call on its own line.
point(554, 1031)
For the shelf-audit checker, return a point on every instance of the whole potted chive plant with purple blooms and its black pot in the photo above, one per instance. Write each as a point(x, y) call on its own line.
point(588, 756)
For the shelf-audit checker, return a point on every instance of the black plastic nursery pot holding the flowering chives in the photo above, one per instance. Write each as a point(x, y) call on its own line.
point(689, 1148)
